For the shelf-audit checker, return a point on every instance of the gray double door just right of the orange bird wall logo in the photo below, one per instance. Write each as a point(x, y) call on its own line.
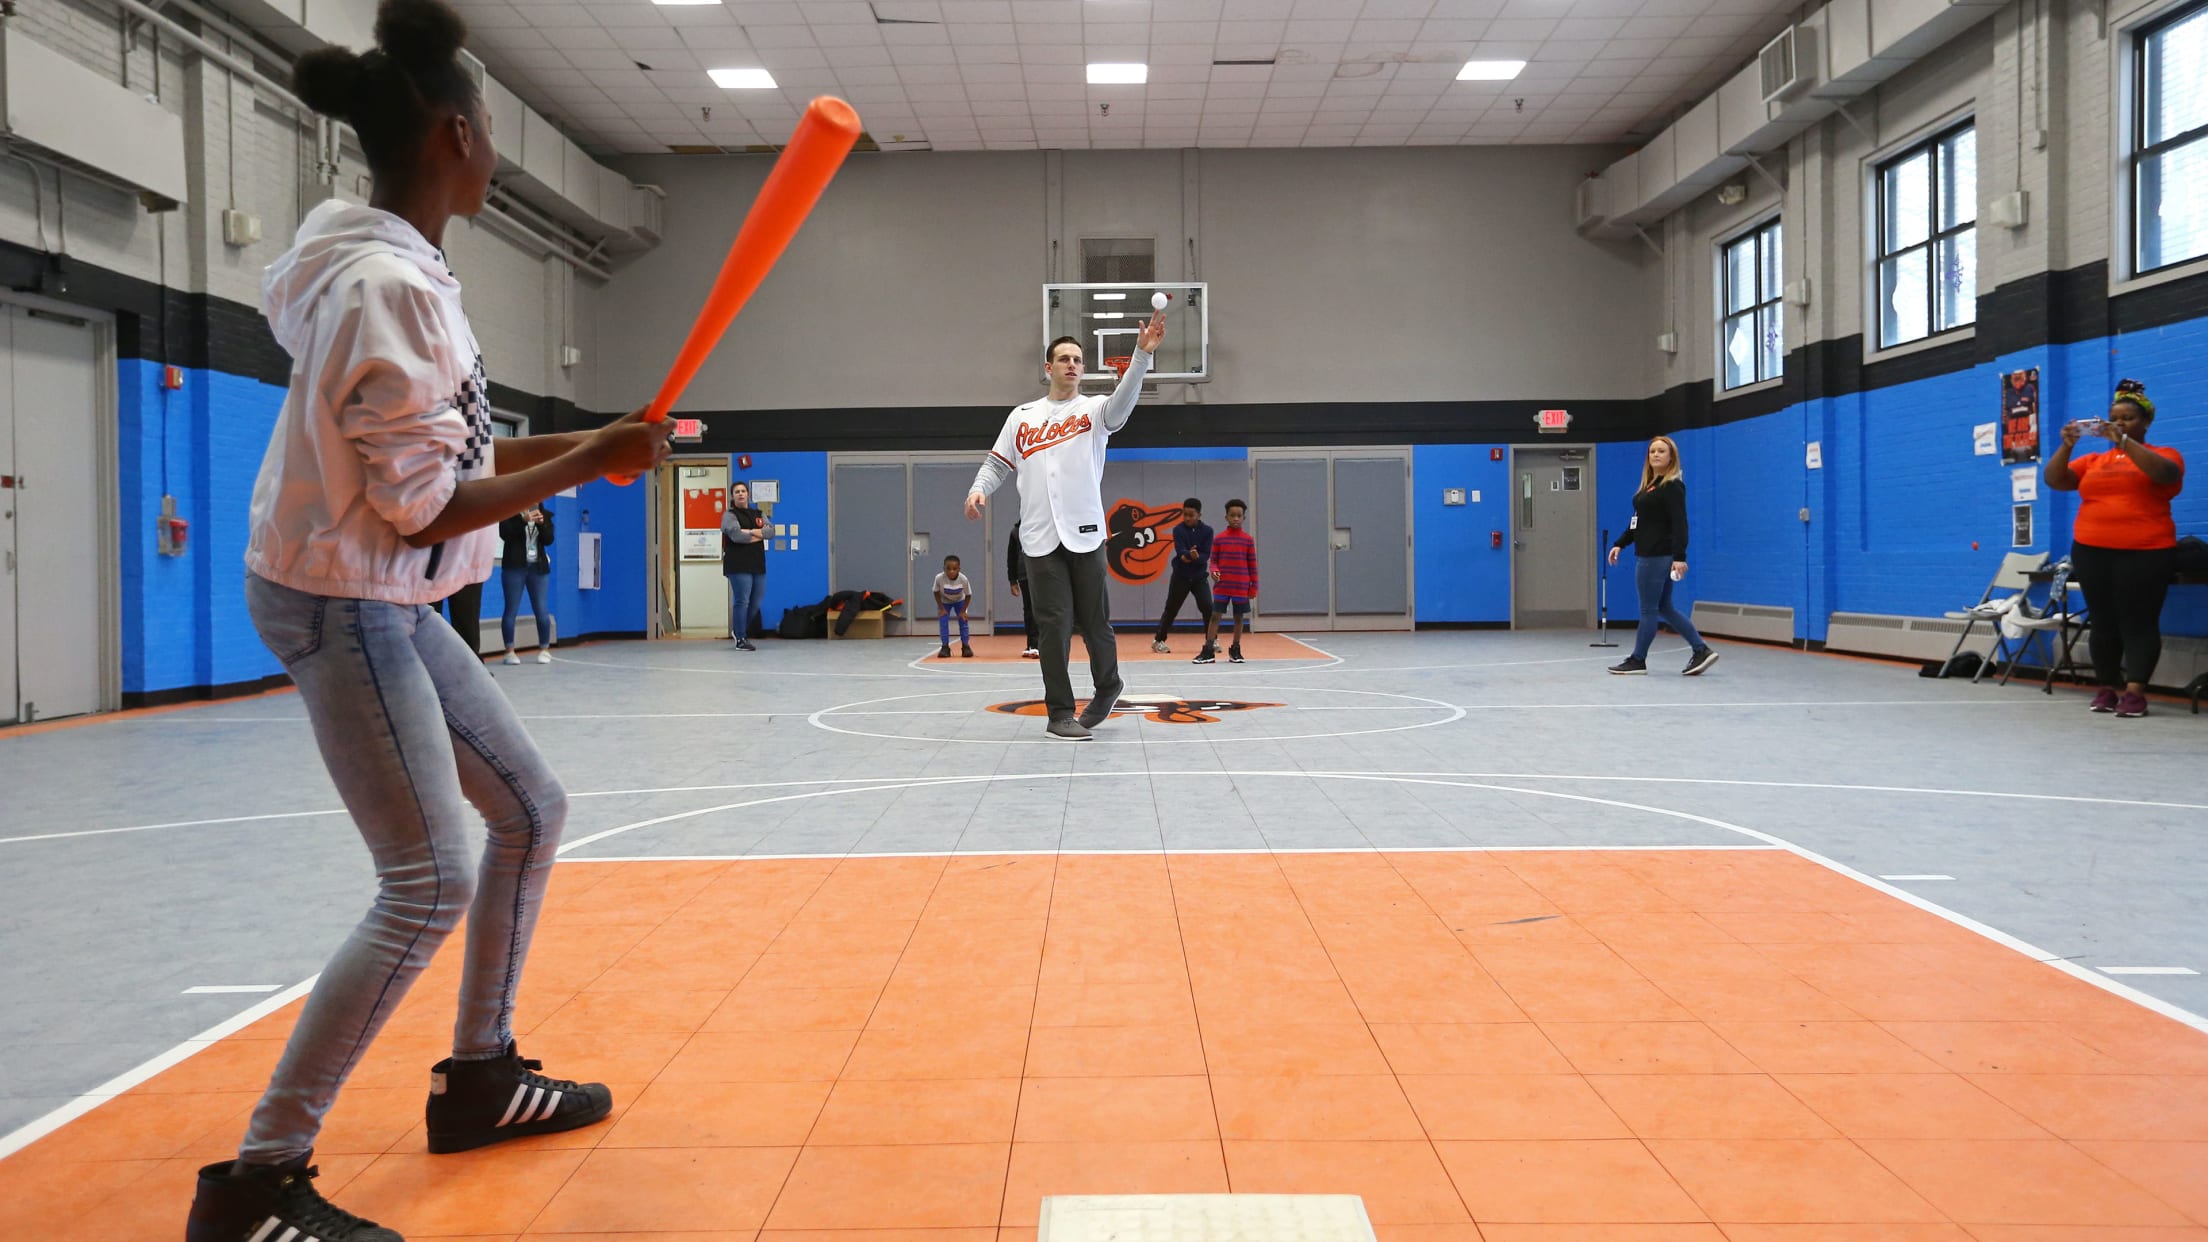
point(1333, 531)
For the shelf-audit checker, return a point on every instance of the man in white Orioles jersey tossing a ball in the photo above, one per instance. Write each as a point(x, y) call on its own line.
point(1057, 450)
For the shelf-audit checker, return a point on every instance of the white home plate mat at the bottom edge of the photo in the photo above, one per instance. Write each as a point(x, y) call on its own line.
point(1204, 1219)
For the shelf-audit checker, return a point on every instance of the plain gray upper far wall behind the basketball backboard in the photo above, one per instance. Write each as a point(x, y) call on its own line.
point(1337, 277)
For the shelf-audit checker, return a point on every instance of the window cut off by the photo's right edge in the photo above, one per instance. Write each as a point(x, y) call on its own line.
point(2169, 169)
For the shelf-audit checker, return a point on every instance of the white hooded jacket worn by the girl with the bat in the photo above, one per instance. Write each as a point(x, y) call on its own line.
point(385, 417)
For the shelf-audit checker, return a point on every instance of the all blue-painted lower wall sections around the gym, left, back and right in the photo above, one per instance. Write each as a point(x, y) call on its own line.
point(1904, 518)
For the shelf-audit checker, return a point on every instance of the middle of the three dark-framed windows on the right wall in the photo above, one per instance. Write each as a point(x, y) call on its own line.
point(1929, 238)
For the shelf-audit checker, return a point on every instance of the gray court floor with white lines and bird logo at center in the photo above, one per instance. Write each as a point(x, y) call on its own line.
point(204, 848)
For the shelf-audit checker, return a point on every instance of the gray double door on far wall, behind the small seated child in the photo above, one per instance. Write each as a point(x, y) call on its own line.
point(895, 516)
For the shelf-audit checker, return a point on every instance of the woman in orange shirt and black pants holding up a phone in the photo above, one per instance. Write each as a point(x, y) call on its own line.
point(2121, 543)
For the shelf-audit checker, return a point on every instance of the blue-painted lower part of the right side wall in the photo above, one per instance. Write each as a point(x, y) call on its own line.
point(1904, 516)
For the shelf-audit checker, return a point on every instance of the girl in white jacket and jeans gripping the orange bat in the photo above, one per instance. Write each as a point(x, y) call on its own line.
point(381, 494)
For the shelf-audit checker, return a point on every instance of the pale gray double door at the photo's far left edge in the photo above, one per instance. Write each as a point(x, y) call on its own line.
point(54, 627)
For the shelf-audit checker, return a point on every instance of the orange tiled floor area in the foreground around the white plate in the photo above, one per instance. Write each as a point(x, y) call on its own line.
point(1662, 1046)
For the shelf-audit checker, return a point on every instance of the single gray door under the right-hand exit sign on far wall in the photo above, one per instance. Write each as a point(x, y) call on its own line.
point(1551, 538)
